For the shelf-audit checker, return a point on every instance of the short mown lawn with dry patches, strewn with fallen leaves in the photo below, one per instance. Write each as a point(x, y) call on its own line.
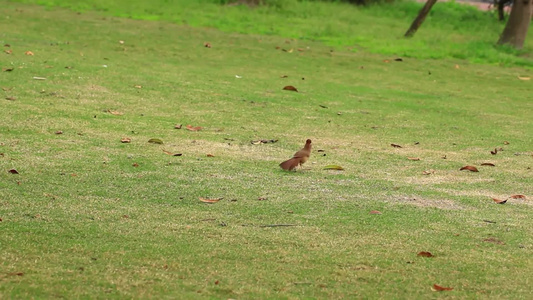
point(81, 221)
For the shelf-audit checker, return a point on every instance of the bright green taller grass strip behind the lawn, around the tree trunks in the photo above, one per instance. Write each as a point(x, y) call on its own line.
point(450, 31)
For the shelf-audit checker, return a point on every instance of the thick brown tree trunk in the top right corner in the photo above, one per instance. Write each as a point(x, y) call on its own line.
point(515, 31)
